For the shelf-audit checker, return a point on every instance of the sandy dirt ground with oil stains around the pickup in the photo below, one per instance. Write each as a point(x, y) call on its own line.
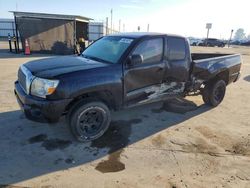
point(147, 146)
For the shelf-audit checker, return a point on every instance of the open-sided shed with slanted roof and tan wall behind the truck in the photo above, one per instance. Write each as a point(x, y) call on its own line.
point(51, 33)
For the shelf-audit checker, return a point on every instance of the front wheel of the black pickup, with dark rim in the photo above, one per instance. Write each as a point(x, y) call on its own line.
point(88, 120)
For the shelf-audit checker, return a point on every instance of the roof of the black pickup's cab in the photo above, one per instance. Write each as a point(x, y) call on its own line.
point(142, 34)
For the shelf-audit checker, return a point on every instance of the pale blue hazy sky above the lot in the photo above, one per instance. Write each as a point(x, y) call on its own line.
point(183, 17)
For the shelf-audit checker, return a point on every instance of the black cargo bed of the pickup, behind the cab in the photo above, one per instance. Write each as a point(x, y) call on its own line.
point(206, 65)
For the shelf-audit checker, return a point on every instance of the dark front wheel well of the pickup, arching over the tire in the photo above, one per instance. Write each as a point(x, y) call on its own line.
point(104, 96)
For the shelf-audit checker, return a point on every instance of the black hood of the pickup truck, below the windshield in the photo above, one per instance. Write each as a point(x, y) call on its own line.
point(51, 67)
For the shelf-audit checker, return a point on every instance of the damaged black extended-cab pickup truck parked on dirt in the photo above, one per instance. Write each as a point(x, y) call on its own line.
point(120, 71)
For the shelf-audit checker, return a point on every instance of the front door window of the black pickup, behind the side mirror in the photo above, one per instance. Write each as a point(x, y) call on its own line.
point(151, 50)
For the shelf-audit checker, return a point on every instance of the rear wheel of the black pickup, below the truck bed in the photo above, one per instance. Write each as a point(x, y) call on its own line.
point(214, 92)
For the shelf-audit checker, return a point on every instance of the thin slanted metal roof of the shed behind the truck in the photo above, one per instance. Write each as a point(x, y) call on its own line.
point(51, 16)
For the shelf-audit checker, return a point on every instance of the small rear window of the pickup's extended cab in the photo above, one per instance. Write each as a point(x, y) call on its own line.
point(177, 49)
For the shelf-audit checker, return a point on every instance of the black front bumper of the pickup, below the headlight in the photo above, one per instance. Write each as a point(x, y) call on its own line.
point(38, 109)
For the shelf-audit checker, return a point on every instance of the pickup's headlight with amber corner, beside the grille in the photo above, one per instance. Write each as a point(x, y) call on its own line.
point(41, 87)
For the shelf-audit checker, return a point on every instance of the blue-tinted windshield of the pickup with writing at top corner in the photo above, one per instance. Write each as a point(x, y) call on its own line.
point(107, 49)
